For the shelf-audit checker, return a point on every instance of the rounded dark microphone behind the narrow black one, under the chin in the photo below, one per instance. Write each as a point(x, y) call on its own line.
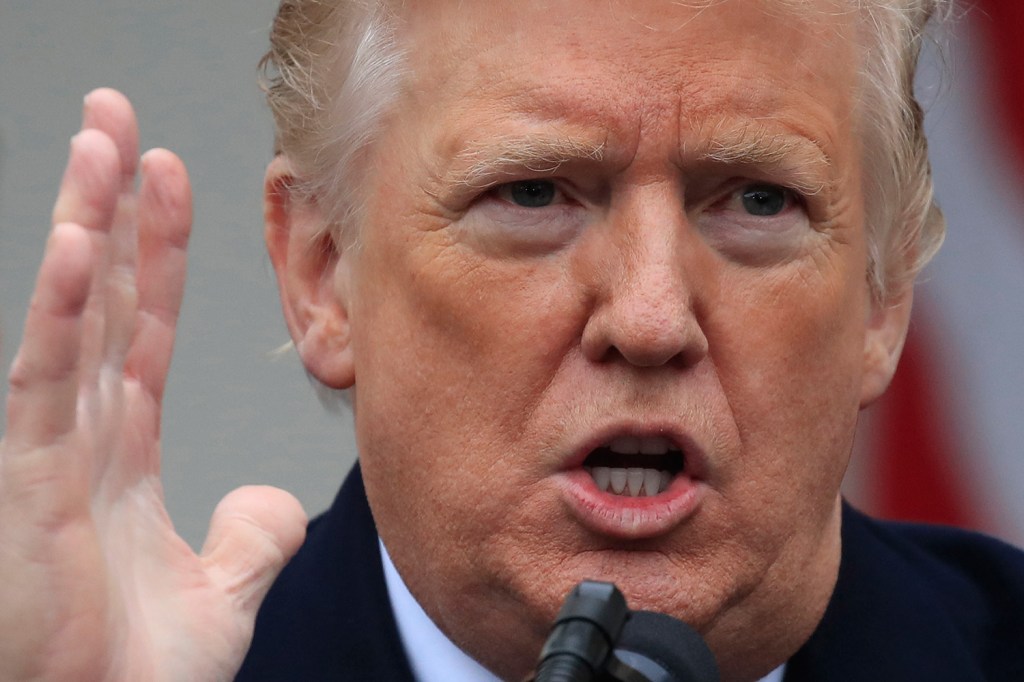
point(656, 648)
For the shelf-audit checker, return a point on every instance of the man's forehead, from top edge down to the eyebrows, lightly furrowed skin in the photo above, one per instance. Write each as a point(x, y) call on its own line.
point(621, 67)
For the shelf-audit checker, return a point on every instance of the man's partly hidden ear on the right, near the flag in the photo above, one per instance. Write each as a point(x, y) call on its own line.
point(887, 326)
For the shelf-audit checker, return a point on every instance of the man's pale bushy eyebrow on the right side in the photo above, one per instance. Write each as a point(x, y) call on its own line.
point(804, 160)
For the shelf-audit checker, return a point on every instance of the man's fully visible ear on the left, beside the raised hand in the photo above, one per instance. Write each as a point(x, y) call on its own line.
point(313, 278)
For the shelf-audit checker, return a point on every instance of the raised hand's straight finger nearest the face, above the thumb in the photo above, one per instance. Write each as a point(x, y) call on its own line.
point(165, 223)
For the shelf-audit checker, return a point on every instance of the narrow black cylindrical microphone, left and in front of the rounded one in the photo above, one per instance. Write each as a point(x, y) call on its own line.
point(582, 638)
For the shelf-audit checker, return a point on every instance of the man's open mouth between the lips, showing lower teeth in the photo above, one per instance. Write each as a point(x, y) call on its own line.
point(635, 466)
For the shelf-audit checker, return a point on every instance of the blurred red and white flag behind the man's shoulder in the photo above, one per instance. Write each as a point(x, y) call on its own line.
point(933, 453)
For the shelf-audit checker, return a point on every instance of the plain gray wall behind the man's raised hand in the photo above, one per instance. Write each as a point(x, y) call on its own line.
point(234, 414)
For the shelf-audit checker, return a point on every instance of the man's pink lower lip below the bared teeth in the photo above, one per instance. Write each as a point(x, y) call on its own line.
point(625, 518)
